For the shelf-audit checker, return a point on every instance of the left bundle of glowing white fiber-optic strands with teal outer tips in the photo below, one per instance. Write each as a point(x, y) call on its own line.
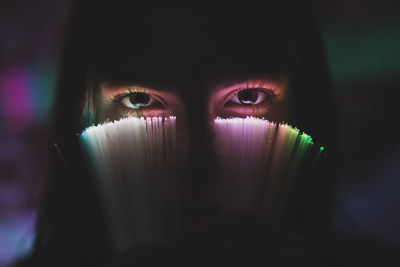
point(134, 161)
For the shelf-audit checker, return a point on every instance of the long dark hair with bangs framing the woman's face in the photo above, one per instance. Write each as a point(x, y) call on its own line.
point(168, 42)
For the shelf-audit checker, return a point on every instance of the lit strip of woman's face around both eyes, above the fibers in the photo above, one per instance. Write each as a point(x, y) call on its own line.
point(263, 96)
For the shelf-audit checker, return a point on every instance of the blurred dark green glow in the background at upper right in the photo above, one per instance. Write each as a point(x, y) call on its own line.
point(363, 54)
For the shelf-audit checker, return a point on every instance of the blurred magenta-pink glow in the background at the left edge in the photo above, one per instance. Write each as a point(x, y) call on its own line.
point(16, 99)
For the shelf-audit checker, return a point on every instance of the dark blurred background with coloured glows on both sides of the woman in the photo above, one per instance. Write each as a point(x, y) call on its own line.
point(362, 41)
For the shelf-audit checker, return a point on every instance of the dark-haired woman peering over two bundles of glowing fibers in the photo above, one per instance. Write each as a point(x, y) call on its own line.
point(119, 58)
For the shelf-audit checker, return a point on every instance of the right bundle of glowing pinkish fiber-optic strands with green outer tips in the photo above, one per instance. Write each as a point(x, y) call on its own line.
point(260, 163)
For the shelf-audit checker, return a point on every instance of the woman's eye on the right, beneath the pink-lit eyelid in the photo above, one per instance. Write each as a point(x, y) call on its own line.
point(251, 96)
